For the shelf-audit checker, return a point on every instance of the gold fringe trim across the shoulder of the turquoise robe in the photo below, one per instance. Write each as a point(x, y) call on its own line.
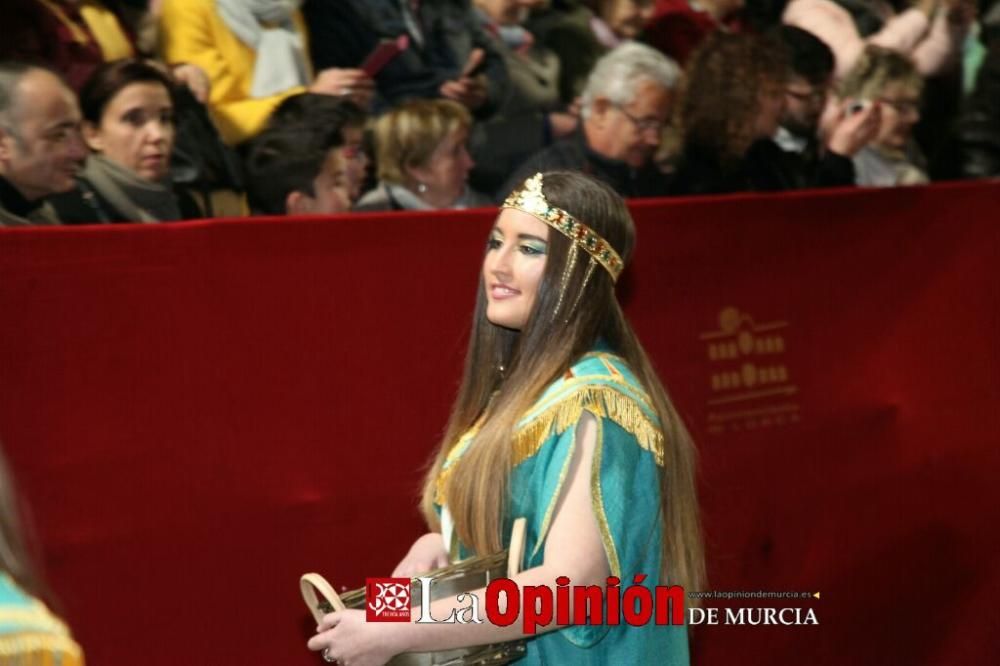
point(603, 402)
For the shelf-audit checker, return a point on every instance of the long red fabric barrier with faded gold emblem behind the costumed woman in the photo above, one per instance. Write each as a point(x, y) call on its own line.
point(200, 412)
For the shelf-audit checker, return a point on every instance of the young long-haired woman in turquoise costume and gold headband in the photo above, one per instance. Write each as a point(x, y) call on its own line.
point(560, 419)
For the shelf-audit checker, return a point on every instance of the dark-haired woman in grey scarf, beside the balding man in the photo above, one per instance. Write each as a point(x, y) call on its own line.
point(128, 124)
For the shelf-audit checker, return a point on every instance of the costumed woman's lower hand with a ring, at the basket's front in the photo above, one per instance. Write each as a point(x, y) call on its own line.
point(347, 638)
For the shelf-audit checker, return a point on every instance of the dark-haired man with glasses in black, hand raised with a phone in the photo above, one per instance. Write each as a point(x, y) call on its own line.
point(806, 93)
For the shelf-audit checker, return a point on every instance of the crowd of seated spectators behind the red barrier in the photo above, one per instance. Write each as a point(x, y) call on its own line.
point(157, 110)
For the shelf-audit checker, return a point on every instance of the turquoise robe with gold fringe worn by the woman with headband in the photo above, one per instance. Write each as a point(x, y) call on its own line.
point(625, 491)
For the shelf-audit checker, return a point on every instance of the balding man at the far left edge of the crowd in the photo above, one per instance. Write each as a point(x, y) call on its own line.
point(41, 149)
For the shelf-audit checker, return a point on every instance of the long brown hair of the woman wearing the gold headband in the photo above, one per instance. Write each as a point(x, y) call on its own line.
point(506, 371)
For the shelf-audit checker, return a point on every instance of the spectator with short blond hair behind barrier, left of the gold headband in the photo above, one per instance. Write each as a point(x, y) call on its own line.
point(422, 159)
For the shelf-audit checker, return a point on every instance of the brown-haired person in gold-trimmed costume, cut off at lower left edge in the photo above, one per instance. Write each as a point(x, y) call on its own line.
point(29, 632)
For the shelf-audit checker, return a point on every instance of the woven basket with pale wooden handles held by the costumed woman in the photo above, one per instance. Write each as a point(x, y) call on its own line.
point(447, 582)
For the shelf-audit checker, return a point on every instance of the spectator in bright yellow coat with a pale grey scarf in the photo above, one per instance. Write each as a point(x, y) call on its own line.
point(255, 54)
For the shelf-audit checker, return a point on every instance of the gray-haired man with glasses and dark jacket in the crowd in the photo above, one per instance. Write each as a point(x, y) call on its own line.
point(625, 107)
